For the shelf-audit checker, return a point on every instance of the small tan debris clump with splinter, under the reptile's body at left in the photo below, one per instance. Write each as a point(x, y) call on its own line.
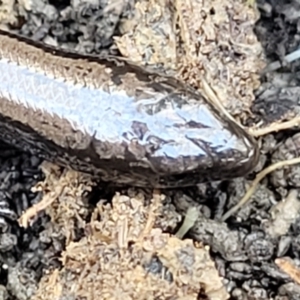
point(65, 200)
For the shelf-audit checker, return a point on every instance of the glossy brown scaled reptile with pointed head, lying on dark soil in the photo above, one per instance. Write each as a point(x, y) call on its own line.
point(114, 120)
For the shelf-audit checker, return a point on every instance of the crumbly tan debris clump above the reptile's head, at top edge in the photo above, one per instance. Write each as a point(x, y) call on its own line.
point(199, 39)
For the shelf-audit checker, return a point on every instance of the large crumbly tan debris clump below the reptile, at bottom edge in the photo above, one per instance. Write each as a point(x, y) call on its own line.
point(122, 256)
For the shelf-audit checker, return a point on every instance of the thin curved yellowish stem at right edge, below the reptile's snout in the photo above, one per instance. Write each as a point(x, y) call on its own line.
point(255, 182)
